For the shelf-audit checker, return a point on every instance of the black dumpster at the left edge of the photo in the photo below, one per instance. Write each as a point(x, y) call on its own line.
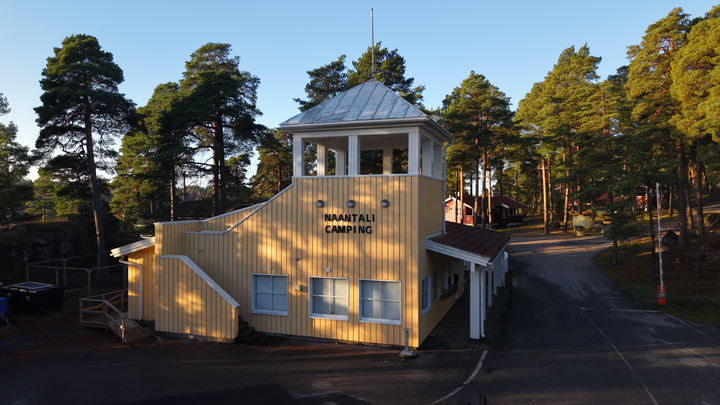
point(34, 298)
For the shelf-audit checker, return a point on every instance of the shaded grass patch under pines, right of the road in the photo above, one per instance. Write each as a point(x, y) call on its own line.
point(691, 277)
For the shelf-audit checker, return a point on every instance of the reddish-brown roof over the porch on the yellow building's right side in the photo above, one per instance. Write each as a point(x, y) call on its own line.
point(476, 240)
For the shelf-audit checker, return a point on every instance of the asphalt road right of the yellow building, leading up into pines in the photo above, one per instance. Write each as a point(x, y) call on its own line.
point(572, 337)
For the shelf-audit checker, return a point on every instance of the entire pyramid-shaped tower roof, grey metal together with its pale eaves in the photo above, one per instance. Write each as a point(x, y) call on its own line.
point(367, 104)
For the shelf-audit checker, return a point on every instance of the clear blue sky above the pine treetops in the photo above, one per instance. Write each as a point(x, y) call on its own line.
point(512, 43)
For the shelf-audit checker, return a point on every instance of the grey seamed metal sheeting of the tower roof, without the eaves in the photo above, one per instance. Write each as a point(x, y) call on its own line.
point(366, 101)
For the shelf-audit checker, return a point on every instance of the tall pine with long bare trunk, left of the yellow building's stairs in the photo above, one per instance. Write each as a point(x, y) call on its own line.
point(81, 101)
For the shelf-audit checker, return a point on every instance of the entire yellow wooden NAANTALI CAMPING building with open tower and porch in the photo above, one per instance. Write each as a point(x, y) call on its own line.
point(345, 256)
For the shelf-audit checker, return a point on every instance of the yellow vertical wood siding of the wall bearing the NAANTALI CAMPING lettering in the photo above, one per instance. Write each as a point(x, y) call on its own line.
point(288, 237)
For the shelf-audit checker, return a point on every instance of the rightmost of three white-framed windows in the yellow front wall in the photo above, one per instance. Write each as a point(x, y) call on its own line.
point(380, 301)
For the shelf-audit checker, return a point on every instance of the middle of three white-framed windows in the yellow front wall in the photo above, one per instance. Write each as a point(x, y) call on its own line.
point(329, 298)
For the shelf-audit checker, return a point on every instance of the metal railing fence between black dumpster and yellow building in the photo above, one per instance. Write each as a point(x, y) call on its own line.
point(77, 273)
